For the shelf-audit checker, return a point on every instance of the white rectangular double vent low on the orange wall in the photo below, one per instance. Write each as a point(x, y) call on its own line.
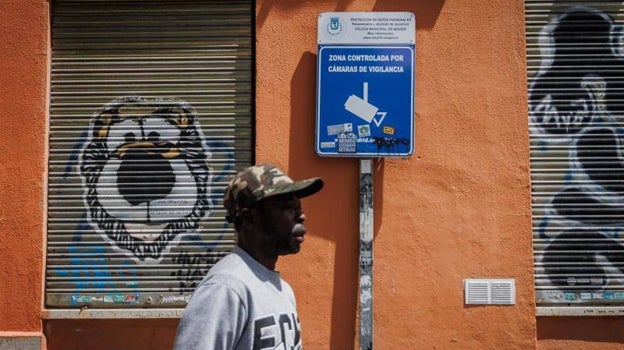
point(490, 291)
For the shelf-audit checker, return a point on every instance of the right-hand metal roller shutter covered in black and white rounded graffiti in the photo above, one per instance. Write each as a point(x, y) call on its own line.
point(575, 52)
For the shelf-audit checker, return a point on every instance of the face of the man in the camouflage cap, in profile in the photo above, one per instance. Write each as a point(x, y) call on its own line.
point(281, 223)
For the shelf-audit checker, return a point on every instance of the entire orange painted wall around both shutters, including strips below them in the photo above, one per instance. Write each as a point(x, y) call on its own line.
point(459, 208)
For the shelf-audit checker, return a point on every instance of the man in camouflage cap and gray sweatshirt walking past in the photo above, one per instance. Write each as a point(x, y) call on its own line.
point(242, 303)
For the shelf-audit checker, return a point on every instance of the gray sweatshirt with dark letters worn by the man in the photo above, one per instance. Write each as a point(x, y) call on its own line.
point(240, 305)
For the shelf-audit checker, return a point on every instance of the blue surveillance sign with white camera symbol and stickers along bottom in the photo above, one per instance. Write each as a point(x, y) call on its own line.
point(365, 101)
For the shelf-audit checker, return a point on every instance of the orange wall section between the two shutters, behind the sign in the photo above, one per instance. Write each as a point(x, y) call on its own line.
point(459, 208)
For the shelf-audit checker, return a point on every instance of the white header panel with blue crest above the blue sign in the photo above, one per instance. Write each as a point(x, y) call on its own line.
point(387, 28)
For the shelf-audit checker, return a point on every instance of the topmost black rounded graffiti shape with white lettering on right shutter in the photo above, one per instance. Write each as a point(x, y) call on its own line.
point(582, 80)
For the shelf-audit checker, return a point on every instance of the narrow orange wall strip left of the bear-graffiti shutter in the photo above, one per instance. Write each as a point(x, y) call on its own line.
point(23, 95)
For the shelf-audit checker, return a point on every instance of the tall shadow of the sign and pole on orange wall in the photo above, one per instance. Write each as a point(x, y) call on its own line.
point(341, 186)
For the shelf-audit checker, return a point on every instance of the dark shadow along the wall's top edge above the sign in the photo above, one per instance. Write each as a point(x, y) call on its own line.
point(426, 12)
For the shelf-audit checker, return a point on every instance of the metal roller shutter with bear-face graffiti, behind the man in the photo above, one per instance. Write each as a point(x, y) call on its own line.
point(150, 115)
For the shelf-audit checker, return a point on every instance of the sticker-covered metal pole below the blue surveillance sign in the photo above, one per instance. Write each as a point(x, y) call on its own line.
point(366, 254)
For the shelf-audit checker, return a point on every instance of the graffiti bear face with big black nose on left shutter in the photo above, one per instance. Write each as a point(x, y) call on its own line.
point(145, 172)
